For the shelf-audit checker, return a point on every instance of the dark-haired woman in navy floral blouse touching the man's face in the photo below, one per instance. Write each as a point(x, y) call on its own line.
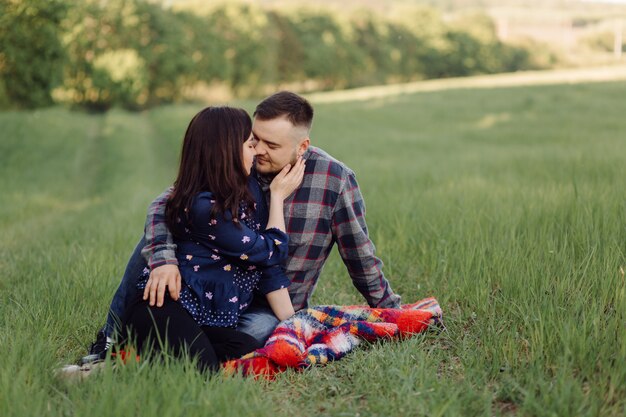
point(224, 248)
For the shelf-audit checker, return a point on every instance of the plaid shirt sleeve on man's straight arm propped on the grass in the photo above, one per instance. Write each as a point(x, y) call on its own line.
point(356, 248)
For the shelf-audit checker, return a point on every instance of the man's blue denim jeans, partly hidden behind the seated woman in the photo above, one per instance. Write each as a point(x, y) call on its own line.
point(258, 320)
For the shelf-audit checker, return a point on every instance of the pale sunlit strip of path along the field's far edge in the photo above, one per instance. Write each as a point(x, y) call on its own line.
point(565, 76)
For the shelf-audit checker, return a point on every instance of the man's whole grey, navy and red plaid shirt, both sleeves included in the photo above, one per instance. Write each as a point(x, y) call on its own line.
point(328, 208)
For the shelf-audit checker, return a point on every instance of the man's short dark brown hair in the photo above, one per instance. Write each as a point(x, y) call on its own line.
point(290, 105)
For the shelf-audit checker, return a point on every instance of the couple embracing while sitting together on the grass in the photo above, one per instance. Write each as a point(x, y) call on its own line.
point(238, 243)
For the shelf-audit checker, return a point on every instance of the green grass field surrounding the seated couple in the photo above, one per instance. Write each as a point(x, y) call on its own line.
point(506, 204)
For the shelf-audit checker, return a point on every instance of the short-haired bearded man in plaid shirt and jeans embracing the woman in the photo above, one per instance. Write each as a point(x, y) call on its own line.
point(327, 208)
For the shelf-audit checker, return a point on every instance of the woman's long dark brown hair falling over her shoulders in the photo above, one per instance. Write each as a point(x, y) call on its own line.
point(212, 160)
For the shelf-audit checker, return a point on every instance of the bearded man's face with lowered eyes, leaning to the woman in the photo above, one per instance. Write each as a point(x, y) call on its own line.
point(279, 143)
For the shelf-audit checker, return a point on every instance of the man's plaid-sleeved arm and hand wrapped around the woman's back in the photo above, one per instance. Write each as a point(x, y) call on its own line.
point(160, 254)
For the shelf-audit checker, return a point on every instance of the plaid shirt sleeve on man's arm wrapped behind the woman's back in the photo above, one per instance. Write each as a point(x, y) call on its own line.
point(160, 248)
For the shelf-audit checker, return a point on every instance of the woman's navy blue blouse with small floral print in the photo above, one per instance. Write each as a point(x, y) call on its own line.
point(222, 262)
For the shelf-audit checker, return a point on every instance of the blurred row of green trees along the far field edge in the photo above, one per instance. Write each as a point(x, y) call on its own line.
point(137, 54)
